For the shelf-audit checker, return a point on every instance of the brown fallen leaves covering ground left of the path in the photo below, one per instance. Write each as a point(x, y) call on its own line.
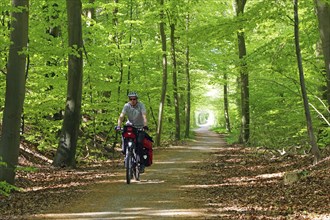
point(48, 188)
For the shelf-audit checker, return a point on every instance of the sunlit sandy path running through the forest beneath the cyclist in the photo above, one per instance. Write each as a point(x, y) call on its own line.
point(161, 193)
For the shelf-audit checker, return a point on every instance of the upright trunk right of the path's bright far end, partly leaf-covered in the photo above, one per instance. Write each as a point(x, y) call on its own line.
point(244, 78)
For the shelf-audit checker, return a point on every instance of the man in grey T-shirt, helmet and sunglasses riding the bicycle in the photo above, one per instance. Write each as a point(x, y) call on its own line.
point(137, 116)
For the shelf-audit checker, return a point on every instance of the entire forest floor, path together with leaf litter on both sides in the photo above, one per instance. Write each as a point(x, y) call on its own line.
point(202, 179)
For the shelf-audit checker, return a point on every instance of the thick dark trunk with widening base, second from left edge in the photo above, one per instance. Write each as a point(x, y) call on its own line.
point(65, 155)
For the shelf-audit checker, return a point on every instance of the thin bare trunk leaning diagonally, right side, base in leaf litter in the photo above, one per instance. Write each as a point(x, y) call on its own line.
point(315, 149)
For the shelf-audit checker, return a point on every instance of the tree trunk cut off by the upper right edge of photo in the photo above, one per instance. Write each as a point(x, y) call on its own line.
point(323, 14)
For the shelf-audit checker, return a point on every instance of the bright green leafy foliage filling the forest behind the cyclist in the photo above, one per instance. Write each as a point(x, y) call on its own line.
point(122, 51)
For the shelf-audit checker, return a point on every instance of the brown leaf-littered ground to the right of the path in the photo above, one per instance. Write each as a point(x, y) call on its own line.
point(245, 183)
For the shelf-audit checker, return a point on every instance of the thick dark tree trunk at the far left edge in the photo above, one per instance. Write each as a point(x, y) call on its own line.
point(15, 91)
